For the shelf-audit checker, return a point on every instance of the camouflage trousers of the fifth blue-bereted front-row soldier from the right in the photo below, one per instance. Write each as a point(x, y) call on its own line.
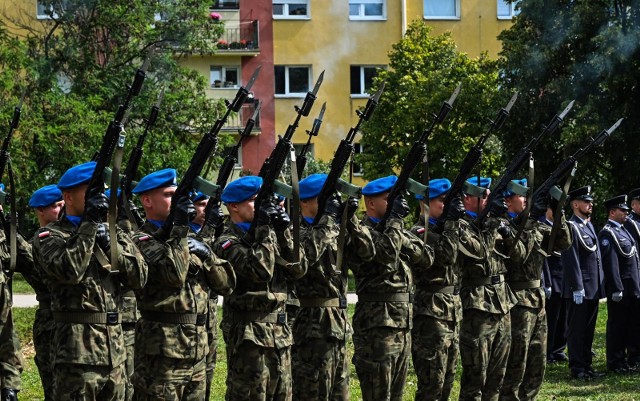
point(320, 370)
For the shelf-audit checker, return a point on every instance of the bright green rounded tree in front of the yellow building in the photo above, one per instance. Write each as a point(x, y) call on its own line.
point(423, 72)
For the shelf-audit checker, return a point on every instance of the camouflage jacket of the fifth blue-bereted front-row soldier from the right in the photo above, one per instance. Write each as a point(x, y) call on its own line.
point(323, 281)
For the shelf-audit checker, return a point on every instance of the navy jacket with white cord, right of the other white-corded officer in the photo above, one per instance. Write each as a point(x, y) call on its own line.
point(619, 260)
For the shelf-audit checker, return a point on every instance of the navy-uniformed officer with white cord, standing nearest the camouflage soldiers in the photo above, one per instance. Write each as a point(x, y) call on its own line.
point(583, 285)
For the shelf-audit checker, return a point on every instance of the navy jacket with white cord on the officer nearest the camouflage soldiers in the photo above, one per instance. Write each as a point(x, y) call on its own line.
point(582, 262)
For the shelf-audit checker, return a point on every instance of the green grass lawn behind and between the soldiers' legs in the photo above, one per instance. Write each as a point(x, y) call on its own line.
point(557, 386)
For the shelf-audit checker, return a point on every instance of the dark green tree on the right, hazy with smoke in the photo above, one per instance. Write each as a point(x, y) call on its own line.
point(587, 50)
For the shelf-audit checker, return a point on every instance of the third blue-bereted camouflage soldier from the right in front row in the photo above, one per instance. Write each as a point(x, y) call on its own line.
point(437, 306)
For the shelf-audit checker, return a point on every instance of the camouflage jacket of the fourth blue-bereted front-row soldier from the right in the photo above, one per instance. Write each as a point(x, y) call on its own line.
point(398, 253)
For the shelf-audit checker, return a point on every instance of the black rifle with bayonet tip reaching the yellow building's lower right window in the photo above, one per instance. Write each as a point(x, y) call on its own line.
point(344, 153)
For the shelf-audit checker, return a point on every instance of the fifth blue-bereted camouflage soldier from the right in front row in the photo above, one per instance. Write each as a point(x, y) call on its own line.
point(320, 364)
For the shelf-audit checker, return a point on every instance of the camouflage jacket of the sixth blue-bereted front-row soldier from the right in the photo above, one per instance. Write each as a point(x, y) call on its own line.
point(261, 290)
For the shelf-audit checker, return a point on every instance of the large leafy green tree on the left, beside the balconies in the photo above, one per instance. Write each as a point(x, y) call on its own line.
point(75, 67)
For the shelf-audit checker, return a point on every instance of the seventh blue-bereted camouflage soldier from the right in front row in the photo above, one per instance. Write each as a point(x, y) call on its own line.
point(171, 336)
